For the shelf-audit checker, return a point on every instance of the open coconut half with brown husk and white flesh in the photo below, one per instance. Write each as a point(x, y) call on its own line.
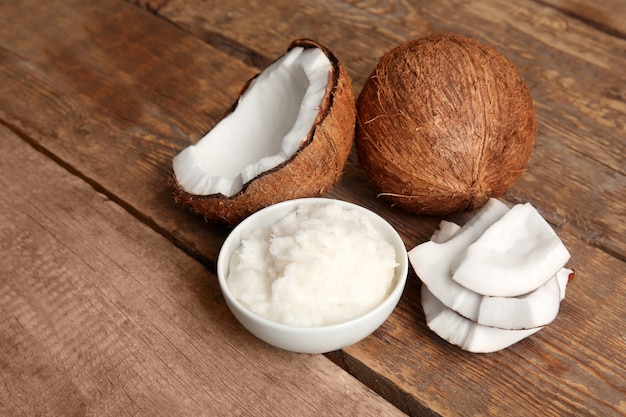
point(287, 136)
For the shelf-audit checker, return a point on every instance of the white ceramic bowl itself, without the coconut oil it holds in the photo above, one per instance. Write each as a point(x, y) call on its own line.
point(311, 339)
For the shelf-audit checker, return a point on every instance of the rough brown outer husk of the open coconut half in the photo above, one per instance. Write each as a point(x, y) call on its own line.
point(310, 172)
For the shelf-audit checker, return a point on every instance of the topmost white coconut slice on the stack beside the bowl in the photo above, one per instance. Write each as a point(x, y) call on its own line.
point(514, 256)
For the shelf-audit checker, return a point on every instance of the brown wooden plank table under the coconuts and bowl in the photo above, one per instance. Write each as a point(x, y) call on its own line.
point(109, 304)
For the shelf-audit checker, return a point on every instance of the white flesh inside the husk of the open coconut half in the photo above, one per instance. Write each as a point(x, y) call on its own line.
point(272, 119)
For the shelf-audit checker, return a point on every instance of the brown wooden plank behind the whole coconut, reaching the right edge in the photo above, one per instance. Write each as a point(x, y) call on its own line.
point(574, 70)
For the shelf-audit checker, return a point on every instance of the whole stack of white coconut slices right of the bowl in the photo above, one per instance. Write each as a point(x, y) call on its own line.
point(494, 281)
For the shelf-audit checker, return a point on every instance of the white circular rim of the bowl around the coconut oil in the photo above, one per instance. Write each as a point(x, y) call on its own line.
point(392, 297)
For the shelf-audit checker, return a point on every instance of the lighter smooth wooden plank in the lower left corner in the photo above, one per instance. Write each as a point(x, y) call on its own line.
point(103, 316)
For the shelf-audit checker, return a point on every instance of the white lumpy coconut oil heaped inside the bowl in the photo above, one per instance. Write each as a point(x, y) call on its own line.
point(321, 264)
